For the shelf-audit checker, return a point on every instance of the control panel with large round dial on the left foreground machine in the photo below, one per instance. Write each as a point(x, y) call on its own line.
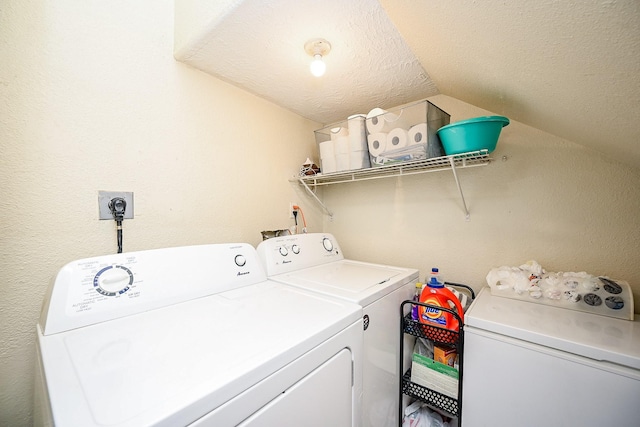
point(94, 290)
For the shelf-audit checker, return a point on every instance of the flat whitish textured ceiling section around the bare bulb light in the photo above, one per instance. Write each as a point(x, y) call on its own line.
point(259, 45)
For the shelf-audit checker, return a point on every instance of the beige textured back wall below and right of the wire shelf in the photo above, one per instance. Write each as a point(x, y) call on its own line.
point(549, 200)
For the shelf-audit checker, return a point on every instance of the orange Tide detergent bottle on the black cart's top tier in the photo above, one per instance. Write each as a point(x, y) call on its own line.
point(437, 295)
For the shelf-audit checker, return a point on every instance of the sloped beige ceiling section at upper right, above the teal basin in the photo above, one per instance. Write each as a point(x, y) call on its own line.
point(570, 68)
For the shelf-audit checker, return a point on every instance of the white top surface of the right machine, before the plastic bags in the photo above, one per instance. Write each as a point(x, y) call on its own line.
point(590, 335)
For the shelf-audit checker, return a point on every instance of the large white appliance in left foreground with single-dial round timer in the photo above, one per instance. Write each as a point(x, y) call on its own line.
point(193, 336)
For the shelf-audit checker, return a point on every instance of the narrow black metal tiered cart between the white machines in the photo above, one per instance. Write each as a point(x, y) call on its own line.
point(434, 399)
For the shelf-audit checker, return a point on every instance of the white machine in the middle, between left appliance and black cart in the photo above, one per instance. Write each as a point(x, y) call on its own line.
point(315, 262)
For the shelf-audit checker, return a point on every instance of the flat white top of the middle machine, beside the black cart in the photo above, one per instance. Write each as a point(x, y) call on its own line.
point(355, 281)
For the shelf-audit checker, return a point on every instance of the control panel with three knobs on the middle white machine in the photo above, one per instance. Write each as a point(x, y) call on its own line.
point(291, 253)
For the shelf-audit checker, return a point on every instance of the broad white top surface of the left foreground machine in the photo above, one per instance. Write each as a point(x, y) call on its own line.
point(172, 365)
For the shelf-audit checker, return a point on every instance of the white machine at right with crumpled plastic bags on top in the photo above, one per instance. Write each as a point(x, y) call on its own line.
point(530, 364)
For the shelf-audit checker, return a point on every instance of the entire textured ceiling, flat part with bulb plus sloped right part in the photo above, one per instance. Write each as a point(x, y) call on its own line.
point(570, 68)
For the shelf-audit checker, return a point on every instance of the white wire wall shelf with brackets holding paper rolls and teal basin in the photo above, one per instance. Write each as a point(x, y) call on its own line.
point(453, 162)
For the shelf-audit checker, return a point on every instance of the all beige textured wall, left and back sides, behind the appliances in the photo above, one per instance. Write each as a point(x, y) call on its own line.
point(91, 99)
